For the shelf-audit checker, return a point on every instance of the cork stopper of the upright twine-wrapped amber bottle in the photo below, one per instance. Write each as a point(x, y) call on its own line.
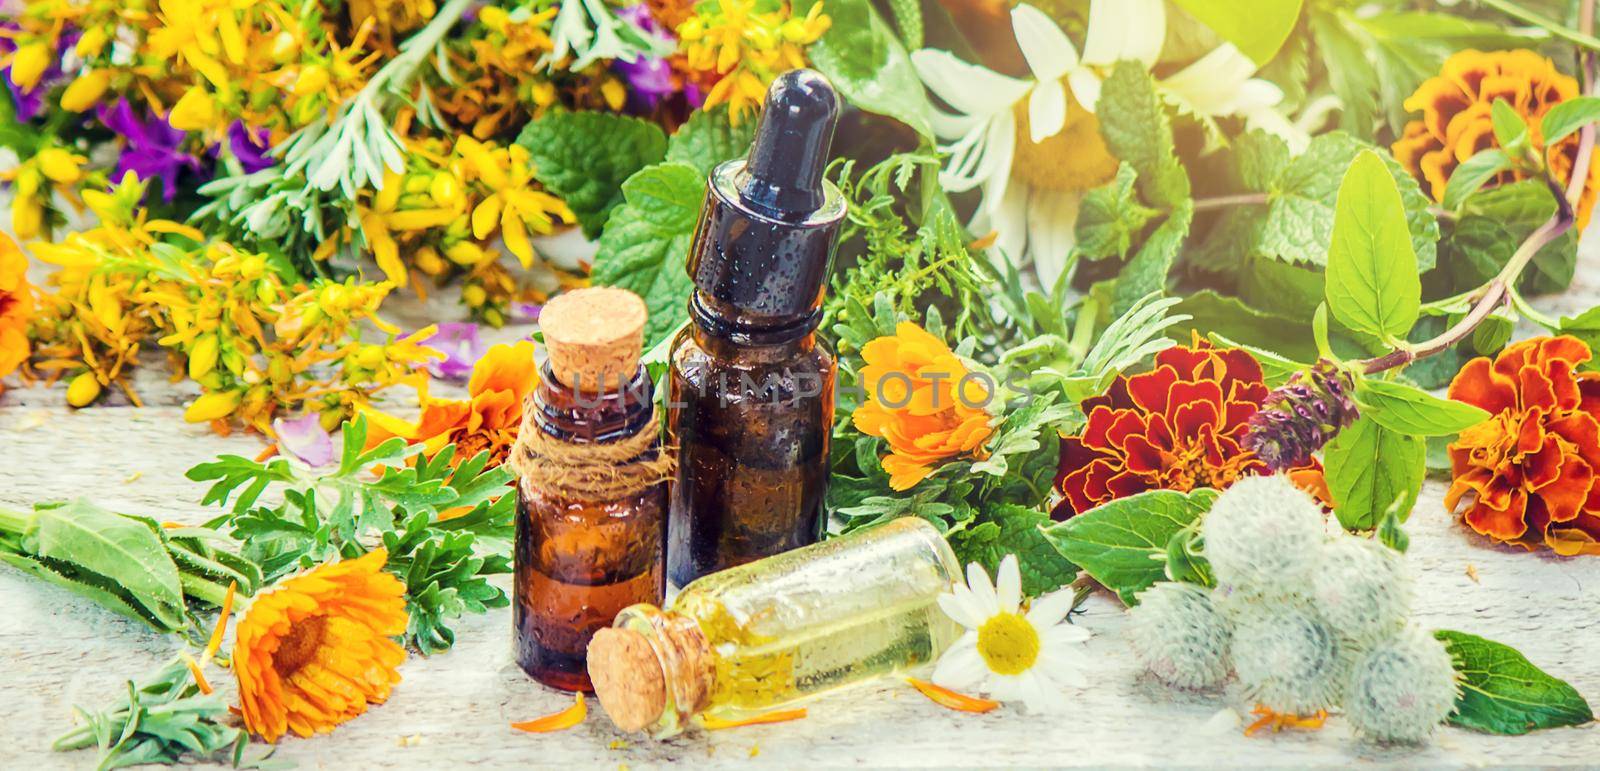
point(594, 338)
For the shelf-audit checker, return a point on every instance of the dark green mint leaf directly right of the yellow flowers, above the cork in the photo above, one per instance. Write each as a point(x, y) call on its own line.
point(586, 156)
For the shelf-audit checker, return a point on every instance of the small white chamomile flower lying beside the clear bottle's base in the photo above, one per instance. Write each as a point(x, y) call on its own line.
point(1010, 653)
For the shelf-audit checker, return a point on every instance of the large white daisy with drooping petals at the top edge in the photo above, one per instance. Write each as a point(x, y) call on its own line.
point(1034, 146)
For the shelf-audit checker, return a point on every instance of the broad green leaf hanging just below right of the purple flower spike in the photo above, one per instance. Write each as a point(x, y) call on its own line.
point(1372, 468)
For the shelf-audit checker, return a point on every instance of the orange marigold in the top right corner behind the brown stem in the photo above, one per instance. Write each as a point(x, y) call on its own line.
point(1457, 121)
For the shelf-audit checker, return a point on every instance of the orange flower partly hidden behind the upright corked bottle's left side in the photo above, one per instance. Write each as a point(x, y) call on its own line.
point(489, 420)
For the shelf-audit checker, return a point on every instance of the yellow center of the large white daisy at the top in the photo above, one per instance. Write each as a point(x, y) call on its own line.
point(1074, 159)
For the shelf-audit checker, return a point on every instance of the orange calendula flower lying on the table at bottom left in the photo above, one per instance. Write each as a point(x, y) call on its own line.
point(316, 650)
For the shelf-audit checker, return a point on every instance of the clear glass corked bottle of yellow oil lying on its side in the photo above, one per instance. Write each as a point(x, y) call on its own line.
point(780, 631)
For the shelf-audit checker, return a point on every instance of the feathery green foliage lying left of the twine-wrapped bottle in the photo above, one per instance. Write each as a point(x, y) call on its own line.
point(446, 529)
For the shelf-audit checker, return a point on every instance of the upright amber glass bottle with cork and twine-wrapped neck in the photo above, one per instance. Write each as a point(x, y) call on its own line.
point(593, 498)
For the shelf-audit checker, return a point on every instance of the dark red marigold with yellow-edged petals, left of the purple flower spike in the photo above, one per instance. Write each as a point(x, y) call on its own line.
point(1178, 426)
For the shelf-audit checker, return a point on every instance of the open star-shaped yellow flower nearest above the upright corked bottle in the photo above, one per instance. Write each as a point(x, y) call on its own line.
point(511, 202)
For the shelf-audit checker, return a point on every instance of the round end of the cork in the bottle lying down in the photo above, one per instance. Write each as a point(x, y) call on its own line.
point(628, 679)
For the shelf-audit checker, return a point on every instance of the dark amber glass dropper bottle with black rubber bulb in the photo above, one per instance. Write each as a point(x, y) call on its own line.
point(751, 391)
